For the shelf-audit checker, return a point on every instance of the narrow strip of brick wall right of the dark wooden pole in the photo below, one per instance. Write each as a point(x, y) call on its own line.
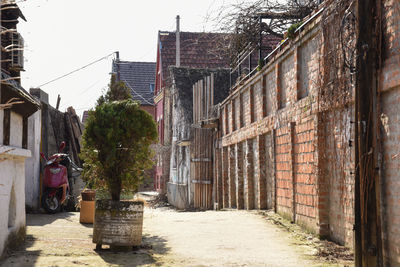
point(390, 129)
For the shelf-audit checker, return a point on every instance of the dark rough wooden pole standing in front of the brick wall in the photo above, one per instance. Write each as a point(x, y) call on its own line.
point(368, 238)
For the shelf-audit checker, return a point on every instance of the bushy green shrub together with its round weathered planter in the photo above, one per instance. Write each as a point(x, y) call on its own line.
point(116, 151)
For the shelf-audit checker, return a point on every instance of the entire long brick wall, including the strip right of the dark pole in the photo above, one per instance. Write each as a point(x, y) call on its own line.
point(299, 150)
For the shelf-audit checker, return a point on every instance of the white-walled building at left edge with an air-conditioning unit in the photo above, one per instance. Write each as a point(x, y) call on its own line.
point(16, 106)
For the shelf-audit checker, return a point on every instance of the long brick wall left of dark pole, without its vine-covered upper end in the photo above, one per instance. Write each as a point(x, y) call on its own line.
point(275, 154)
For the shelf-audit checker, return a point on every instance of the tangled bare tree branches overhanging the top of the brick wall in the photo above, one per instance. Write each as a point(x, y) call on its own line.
point(247, 20)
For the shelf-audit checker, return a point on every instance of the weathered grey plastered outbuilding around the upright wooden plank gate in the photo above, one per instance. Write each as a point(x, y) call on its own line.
point(181, 188)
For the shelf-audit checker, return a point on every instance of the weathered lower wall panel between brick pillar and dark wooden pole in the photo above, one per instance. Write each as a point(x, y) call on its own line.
point(337, 172)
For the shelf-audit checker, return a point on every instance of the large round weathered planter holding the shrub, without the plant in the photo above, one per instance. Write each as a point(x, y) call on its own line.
point(118, 223)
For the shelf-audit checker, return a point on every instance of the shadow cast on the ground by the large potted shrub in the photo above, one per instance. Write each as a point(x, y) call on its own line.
point(152, 248)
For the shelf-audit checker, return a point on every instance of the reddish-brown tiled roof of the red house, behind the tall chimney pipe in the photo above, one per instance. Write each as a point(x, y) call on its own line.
point(198, 50)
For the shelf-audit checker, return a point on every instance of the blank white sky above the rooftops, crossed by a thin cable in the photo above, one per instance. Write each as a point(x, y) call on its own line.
point(62, 35)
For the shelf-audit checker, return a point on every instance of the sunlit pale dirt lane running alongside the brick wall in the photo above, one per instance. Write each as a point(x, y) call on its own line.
point(171, 238)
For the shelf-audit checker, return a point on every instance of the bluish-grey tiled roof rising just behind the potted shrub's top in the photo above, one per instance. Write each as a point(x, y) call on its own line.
point(138, 76)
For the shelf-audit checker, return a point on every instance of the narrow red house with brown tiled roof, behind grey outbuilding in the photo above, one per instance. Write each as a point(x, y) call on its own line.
point(196, 50)
